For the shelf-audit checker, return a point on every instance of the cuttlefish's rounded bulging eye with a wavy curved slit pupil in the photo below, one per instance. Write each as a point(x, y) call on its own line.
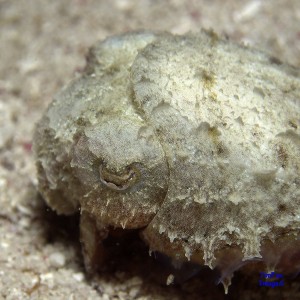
point(123, 171)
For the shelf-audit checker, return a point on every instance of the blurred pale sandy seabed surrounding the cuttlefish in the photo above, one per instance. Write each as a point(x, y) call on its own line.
point(43, 45)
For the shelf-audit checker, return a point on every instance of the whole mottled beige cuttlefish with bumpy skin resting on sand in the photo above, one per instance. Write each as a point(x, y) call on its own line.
point(192, 138)
